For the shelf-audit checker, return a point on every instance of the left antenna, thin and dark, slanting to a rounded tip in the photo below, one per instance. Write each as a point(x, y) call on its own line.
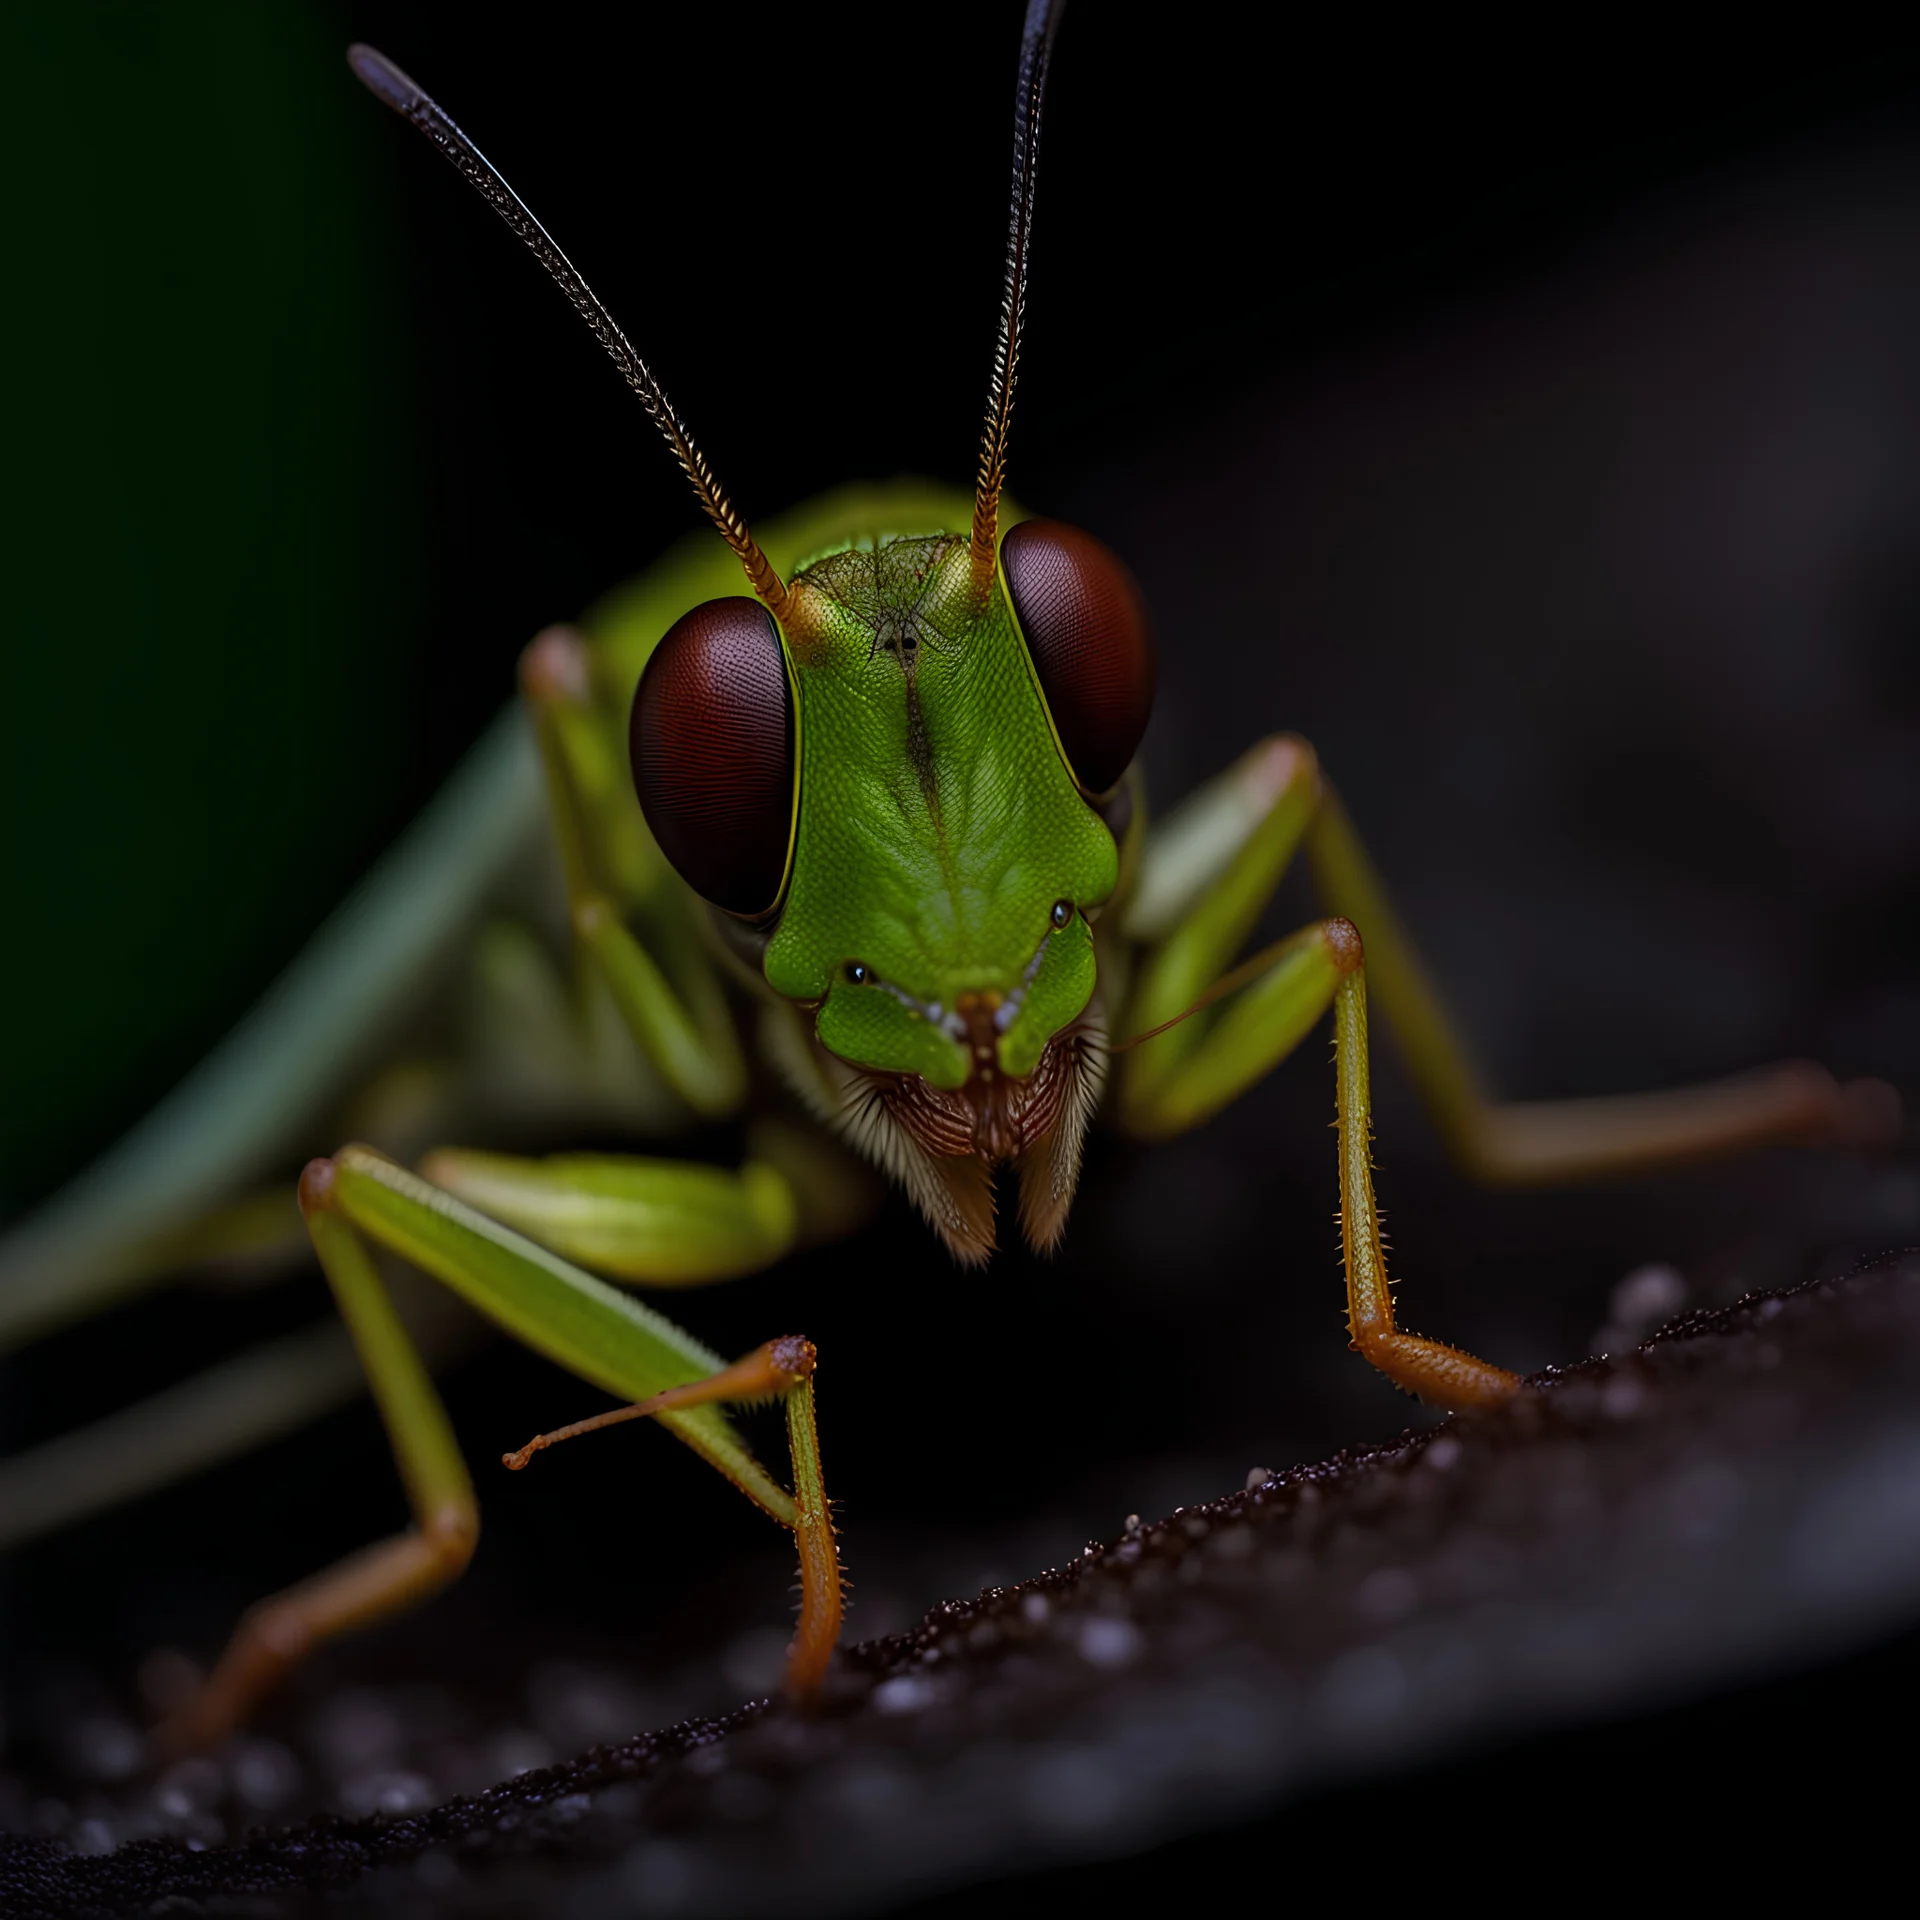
point(410, 103)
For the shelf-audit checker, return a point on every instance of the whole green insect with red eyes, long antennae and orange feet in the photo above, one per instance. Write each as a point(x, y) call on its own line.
point(876, 821)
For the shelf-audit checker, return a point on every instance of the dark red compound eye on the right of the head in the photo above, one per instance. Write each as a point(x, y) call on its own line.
point(1086, 629)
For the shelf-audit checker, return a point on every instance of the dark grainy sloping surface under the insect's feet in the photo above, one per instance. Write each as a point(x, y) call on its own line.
point(1740, 1487)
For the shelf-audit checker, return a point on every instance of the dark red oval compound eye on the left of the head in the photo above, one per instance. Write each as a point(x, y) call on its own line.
point(713, 754)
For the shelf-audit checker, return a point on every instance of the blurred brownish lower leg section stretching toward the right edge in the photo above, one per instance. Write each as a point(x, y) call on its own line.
point(1560, 1140)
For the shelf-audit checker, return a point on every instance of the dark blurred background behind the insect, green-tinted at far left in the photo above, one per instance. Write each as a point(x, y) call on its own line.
point(1533, 427)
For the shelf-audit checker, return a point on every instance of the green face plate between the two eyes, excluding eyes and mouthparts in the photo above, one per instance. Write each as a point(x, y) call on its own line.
point(938, 821)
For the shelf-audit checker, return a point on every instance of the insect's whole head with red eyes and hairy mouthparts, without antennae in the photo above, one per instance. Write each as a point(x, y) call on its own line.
point(882, 782)
